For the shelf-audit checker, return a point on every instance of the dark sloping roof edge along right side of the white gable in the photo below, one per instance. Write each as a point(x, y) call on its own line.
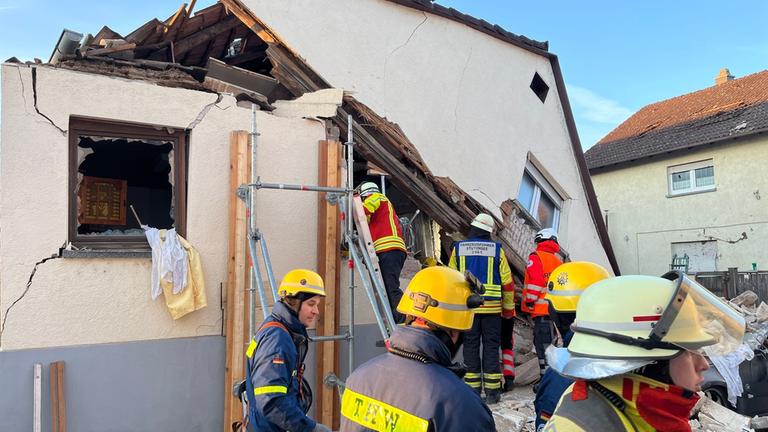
point(586, 180)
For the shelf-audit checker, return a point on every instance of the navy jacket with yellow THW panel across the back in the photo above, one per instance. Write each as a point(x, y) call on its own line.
point(412, 389)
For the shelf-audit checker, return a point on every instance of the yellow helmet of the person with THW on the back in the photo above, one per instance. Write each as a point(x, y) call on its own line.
point(442, 296)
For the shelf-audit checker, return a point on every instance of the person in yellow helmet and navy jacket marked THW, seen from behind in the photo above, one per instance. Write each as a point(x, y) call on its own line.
point(415, 387)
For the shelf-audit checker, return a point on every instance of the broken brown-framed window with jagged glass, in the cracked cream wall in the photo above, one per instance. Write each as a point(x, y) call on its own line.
point(116, 166)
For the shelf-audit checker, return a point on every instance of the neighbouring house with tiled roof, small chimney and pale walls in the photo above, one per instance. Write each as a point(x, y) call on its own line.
point(681, 181)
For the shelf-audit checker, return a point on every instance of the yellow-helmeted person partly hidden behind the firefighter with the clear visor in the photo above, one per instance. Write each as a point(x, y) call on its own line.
point(564, 289)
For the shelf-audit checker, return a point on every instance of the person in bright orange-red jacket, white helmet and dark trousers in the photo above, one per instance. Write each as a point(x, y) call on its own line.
point(541, 263)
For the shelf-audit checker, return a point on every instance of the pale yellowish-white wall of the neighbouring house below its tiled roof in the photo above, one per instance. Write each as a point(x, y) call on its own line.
point(643, 221)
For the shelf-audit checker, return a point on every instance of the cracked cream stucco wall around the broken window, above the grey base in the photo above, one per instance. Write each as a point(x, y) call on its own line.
point(88, 301)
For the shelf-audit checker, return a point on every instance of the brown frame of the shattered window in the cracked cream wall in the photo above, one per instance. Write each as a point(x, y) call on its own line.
point(79, 126)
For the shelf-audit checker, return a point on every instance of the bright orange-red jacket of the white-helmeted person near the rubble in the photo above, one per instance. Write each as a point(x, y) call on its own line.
point(541, 263)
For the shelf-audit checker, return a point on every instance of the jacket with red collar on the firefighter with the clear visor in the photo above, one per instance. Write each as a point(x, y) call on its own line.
point(640, 404)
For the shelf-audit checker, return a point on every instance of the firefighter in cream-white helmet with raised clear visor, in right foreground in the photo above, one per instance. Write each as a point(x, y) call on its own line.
point(635, 353)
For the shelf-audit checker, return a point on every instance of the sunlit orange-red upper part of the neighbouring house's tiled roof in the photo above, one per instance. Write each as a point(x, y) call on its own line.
point(731, 95)
